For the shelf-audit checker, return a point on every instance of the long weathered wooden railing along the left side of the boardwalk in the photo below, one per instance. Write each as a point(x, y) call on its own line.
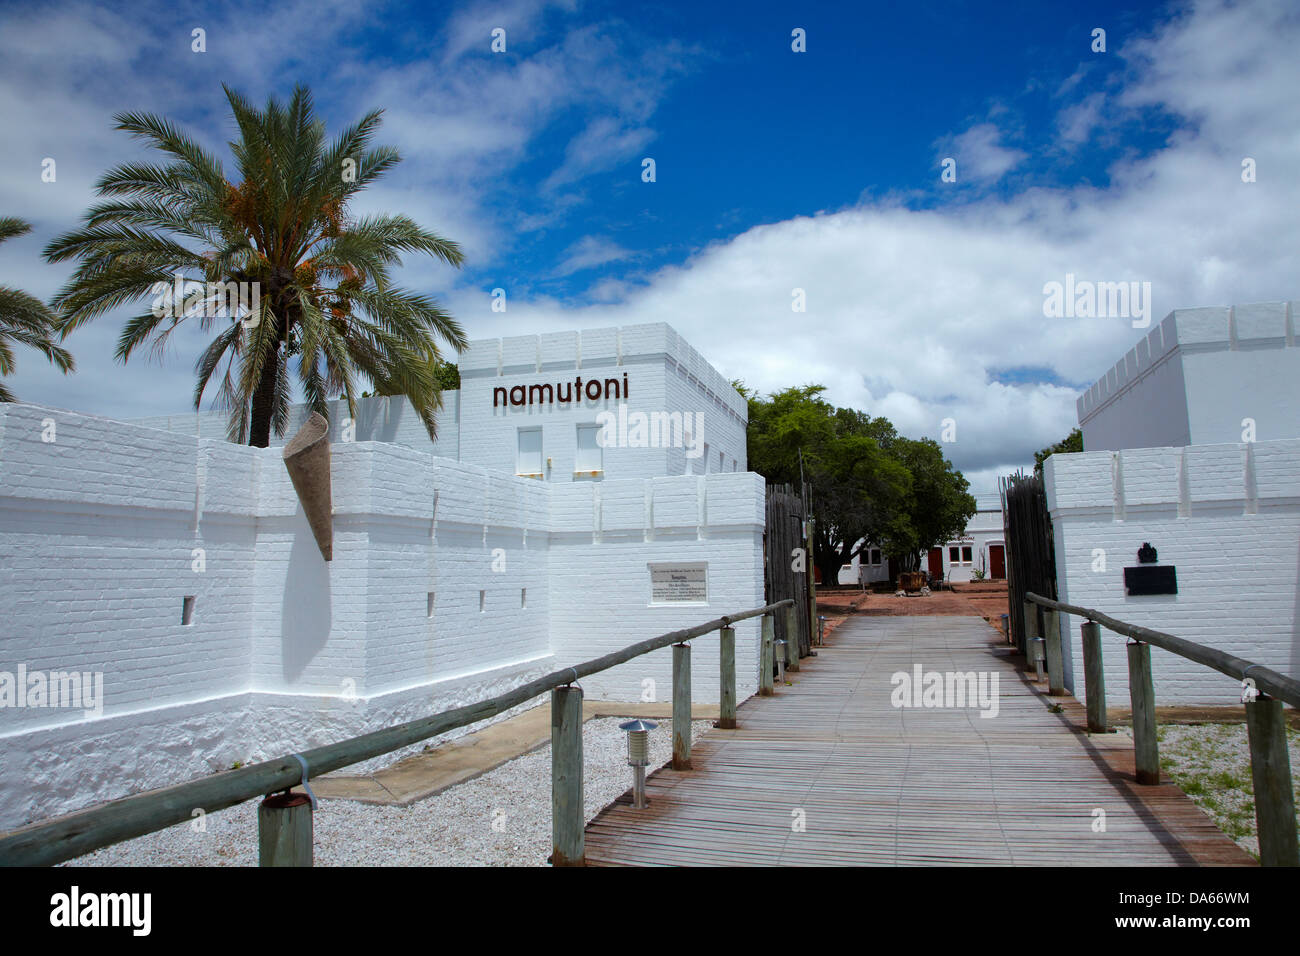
point(285, 823)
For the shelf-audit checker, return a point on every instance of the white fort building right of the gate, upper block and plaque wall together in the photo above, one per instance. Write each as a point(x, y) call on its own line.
point(1191, 444)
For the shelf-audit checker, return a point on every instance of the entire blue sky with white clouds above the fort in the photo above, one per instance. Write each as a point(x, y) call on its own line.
point(775, 171)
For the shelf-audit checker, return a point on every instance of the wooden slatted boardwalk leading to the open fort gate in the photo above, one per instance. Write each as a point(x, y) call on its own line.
point(874, 784)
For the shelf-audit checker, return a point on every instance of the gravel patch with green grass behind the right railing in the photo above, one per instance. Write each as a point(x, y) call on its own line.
point(1212, 764)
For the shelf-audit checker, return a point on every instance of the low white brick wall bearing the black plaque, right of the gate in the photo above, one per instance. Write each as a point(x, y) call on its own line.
point(1228, 517)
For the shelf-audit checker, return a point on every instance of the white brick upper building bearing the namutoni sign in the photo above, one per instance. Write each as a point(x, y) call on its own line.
point(653, 373)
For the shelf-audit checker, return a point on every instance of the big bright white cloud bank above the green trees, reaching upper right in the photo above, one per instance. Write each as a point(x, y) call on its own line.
point(908, 312)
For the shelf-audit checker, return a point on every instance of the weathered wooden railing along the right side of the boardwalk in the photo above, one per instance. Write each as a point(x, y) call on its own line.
point(1266, 723)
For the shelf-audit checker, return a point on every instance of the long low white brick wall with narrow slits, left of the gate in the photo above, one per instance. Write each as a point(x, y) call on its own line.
point(98, 538)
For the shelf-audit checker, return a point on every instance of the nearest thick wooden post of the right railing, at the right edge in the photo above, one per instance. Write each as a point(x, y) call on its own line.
point(1271, 771)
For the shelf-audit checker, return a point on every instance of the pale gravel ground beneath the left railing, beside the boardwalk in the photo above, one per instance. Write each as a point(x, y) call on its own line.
point(502, 819)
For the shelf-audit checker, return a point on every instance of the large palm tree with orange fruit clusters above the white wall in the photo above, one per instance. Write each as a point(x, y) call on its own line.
point(318, 288)
